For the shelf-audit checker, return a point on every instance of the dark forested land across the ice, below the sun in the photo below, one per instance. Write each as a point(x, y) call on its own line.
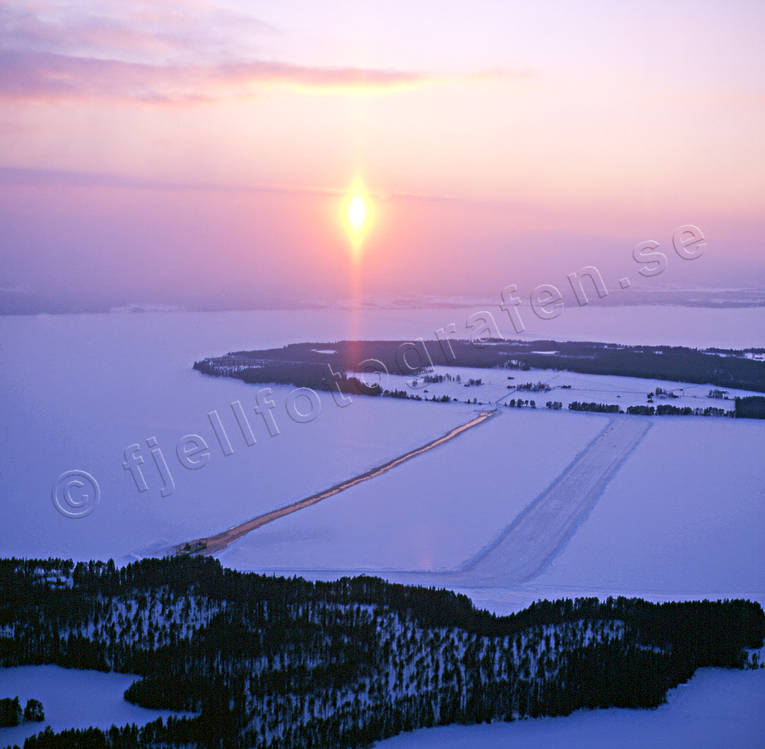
point(328, 366)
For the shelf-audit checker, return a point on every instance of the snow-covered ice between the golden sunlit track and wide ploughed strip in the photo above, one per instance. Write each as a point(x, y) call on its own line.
point(433, 512)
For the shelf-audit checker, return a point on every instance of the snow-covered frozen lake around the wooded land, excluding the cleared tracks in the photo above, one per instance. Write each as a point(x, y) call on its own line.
point(683, 516)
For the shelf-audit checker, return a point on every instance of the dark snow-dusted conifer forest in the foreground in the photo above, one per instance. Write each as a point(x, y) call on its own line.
point(282, 663)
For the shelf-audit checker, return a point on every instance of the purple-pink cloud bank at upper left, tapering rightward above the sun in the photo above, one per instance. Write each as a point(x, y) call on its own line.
point(153, 53)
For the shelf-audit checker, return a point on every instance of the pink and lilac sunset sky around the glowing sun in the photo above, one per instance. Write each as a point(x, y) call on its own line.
point(196, 151)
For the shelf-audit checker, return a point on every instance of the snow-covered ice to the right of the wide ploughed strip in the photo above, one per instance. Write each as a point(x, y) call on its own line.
point(685, 514)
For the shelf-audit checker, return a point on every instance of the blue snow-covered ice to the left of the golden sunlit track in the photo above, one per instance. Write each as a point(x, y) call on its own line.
point(79, 390)
